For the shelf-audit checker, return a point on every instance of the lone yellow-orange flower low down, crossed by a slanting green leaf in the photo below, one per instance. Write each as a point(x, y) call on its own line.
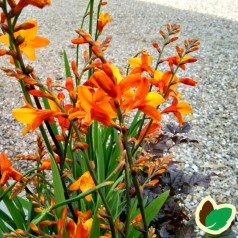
point(84, 183)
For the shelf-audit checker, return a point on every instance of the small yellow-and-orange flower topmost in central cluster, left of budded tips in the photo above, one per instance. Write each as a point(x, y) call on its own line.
point(141, 64)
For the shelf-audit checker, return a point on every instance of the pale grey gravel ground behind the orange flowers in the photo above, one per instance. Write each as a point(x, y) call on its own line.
point(135, 25)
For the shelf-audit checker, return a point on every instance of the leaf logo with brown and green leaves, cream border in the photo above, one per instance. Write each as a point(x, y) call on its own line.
point(212, 218)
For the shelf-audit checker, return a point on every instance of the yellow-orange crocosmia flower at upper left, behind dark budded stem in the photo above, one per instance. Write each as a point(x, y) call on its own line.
point(30, 40)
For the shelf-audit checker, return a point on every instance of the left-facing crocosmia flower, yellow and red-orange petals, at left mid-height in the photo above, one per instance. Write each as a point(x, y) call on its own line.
point(32, 117)
